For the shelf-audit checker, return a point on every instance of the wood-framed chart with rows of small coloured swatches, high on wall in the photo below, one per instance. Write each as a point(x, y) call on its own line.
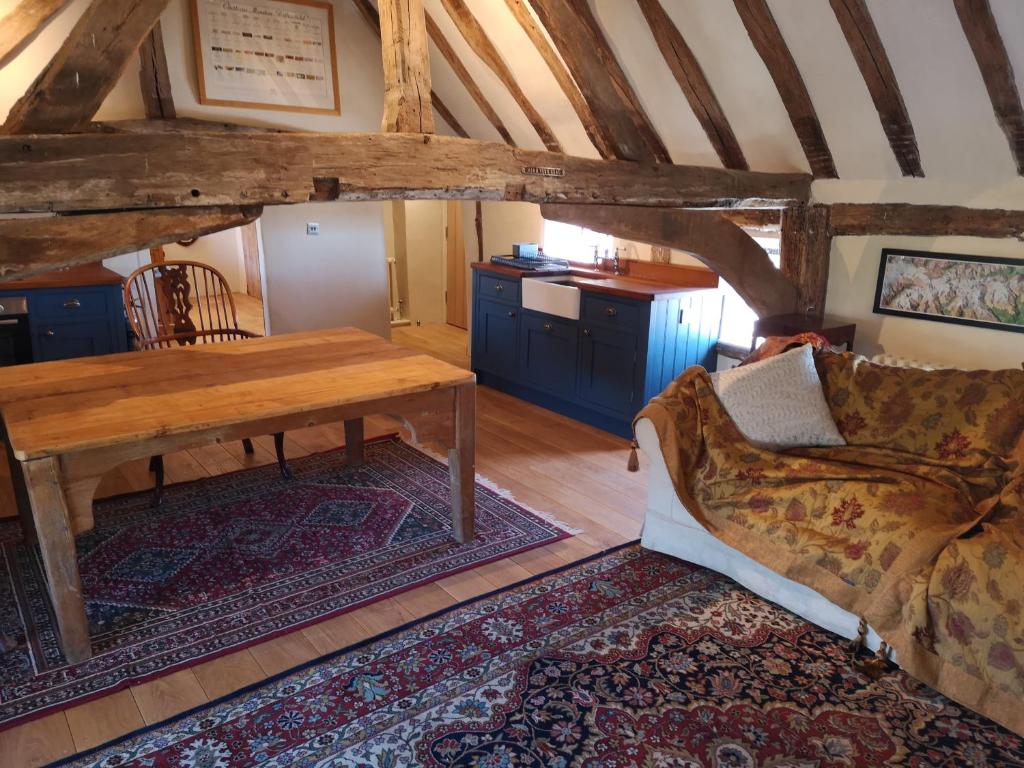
point(268, 55)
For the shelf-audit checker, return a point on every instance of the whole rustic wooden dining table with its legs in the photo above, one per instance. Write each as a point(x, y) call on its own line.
point(68, 423)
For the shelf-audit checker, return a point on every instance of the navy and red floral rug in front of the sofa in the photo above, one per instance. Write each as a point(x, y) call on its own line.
point(628, 659)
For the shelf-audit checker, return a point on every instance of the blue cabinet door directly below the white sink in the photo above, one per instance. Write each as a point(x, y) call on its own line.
point(548, 354)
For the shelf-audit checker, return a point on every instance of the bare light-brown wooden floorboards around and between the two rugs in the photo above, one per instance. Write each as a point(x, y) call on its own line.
point(522, 448)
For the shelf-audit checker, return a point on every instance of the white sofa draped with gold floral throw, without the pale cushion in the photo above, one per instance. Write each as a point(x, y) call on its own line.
point(915, 528)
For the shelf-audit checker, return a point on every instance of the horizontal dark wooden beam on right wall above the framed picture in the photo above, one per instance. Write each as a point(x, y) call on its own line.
point(903, 219)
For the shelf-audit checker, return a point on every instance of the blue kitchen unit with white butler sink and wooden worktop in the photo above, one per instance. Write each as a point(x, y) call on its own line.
point(591, 346)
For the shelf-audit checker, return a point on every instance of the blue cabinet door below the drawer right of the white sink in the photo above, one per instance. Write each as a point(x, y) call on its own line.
point(609, 369)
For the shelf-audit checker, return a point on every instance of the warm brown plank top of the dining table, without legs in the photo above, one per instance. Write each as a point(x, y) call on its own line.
point(52, 409)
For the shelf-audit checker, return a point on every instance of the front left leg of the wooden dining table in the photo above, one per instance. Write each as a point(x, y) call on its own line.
point(42, 479)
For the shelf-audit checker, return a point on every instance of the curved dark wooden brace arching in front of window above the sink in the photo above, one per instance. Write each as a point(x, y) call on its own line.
point(714, 241)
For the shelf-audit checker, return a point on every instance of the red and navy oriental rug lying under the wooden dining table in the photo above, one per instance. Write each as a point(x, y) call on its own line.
point(234, 561)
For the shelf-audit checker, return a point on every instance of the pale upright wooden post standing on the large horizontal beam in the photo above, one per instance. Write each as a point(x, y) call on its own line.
point(407, 68)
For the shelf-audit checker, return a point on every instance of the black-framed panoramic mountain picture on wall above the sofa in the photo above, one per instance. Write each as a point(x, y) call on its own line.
point(982, 291)
